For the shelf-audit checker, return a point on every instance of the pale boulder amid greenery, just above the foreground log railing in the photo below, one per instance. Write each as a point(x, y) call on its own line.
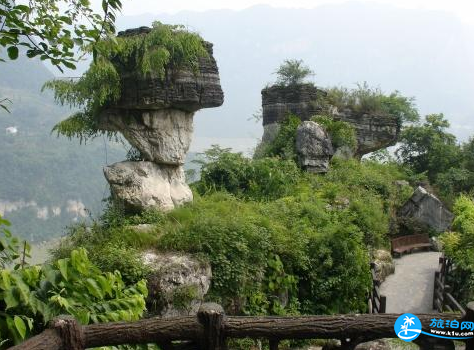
point(177, 284)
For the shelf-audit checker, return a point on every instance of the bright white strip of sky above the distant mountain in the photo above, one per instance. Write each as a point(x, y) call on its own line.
point(463, 8)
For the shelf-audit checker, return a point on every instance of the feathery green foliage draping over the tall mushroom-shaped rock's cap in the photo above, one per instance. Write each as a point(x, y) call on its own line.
point(161, 52)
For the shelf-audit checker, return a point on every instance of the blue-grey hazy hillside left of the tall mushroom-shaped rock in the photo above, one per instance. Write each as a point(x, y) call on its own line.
point(46, 183)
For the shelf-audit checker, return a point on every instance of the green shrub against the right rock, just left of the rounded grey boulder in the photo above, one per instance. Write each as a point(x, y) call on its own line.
point(283, 145)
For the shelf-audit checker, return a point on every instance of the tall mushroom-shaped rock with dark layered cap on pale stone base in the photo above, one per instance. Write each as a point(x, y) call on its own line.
point(155, 114)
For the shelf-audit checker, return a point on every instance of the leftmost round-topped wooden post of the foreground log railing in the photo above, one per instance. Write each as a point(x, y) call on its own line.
point(70, 332)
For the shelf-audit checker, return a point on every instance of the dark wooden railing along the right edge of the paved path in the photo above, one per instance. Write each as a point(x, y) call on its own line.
point(443, 300)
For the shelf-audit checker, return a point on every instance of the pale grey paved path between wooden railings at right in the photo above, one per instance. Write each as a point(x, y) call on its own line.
point(410, 288)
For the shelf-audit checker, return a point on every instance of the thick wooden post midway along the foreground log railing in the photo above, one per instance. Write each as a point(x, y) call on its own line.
point(212, 317)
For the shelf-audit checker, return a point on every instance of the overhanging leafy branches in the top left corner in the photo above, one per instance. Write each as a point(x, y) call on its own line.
point(54, 29)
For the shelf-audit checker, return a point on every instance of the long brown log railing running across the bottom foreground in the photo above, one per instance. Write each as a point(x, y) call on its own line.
point(211, 329)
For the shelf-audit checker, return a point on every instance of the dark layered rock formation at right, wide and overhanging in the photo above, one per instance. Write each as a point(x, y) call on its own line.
point(373, 131)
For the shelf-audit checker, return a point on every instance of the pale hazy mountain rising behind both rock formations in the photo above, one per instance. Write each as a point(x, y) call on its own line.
point(426, 54)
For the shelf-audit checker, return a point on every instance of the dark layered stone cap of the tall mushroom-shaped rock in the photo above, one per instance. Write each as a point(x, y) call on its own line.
point(184, 89)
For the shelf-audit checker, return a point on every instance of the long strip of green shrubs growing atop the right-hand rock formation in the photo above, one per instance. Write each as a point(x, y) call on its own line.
point(365, 99)
